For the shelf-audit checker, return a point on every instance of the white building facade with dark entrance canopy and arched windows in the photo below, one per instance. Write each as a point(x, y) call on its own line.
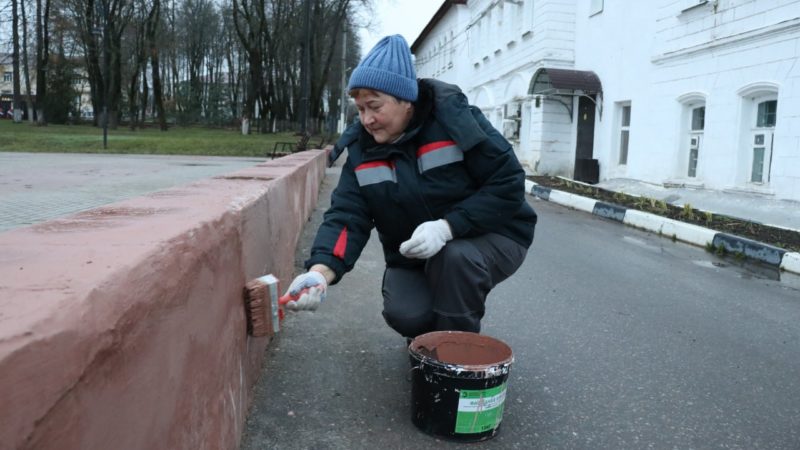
point(677, 92)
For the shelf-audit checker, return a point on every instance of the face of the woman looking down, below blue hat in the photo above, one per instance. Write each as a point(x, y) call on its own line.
point(383, 116)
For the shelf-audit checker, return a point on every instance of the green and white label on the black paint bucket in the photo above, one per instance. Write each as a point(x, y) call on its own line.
point(480, 411)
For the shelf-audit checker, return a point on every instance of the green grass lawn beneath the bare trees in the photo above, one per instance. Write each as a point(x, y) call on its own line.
point(24, 137)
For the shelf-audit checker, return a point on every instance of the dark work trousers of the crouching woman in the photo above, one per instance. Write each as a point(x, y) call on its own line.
point(449, 293)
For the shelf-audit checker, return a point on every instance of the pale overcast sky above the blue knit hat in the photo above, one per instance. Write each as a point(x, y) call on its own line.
point(405, 17)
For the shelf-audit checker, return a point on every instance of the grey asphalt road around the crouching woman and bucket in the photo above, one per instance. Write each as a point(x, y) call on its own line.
point(622, 340)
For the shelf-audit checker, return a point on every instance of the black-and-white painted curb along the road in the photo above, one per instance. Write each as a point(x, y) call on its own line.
point(686, 232)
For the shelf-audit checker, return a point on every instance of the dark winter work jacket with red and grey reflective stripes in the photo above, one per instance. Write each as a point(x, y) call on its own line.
point(450, 163)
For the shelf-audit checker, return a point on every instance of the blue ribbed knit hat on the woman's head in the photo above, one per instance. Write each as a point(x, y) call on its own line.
point(387, 68)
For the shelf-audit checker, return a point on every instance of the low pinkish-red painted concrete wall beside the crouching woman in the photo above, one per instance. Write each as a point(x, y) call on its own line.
point(124, 327)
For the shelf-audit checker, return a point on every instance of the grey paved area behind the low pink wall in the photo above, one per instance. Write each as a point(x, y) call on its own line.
point(35, 187)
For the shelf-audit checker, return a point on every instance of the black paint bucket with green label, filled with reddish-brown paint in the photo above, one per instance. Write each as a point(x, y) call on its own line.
point(458, 385)
